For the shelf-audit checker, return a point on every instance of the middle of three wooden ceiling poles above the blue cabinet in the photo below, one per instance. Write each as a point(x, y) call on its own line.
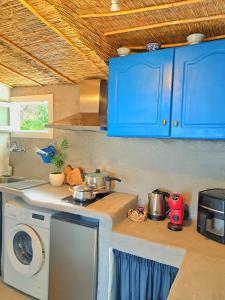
point(165, 24)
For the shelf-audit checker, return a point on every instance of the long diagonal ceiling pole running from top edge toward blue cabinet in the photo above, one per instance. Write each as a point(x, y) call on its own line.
point(67, 39)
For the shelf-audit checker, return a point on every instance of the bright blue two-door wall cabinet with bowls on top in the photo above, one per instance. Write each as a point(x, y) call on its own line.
point(140, 88)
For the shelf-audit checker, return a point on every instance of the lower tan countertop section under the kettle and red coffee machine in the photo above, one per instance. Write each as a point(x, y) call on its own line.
point(202, 272)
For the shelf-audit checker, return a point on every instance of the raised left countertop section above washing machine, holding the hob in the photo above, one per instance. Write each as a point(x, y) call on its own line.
point(110, 210)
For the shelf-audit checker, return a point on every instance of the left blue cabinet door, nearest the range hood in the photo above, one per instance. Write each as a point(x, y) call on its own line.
point(139, 103)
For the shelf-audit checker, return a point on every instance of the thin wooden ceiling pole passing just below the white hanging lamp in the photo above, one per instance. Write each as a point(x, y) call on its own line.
point(140, 10)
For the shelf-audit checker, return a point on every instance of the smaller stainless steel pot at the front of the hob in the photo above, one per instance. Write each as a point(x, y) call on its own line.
point(83, 193)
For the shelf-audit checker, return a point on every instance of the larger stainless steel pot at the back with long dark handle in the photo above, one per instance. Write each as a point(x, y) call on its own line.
point(99, 180)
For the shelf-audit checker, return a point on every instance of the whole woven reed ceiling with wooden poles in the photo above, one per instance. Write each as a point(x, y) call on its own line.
point(45, 42)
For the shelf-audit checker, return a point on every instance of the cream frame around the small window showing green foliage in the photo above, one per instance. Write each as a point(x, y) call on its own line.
point(32, 98)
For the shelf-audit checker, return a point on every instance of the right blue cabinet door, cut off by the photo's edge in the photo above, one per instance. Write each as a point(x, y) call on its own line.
point(199, 91)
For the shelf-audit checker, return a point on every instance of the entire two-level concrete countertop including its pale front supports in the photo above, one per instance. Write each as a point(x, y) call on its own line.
point(202, 262)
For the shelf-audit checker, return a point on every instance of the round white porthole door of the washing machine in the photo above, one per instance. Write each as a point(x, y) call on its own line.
point(25, 250)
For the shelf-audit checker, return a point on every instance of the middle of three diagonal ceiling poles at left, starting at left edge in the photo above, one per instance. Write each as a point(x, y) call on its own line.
point(34, 58)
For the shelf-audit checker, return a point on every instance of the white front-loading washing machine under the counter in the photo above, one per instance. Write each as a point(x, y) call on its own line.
point(26, 248)
